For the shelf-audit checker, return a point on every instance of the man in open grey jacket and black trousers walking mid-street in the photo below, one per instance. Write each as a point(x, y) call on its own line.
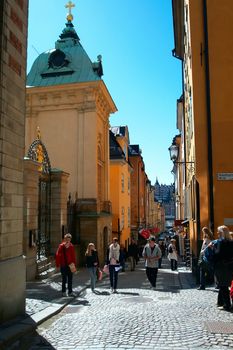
point(151, 254)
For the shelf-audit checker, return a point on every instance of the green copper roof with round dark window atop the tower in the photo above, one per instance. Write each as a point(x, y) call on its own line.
point(67, 63)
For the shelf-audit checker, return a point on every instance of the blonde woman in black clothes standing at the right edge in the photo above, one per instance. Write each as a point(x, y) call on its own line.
point(220, 252)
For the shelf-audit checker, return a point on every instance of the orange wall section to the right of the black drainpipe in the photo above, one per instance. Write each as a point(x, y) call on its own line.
point(221, 78)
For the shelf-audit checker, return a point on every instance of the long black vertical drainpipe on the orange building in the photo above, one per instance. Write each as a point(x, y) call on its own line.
point(208, 106)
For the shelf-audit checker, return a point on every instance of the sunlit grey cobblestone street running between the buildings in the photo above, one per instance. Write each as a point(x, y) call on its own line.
point(174, 316)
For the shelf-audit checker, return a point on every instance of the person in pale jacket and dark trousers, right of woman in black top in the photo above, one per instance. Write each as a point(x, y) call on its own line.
point(113, 262)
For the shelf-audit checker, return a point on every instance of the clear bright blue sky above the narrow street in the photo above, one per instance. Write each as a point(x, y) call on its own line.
point(135, 39)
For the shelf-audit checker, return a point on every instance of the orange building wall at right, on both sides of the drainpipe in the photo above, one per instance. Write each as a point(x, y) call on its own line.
point(220, 19)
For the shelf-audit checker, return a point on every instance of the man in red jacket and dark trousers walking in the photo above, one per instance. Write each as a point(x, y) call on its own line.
point(65, 256)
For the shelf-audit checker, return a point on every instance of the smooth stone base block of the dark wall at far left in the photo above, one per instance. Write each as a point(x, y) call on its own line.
point(12, 288)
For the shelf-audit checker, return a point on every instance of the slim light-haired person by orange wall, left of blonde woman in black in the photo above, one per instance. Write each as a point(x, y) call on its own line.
point(203, 266)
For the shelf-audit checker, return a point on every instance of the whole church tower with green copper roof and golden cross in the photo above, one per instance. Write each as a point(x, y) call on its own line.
point(69, 102)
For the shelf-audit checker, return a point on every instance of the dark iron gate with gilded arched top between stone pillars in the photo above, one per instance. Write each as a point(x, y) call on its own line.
point(37, 151)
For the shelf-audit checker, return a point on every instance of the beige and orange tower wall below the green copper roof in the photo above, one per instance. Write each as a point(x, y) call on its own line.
point(73, 124)
